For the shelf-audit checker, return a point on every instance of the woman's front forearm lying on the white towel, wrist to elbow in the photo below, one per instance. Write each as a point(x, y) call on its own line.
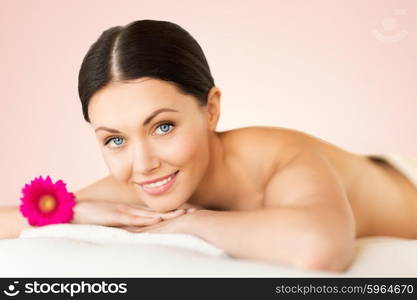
point(283, 235)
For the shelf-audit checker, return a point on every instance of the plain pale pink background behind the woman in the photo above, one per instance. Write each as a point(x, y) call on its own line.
point(323, 67)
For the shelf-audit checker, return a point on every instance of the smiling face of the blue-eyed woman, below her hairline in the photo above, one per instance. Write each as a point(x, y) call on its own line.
point(139, 144)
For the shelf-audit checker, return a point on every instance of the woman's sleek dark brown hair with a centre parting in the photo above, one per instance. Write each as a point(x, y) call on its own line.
point(145, 48)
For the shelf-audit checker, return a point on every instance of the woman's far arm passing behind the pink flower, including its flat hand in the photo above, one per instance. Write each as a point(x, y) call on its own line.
point(104, 202)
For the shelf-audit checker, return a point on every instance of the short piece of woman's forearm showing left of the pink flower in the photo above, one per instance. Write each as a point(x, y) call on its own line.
point(12, 223)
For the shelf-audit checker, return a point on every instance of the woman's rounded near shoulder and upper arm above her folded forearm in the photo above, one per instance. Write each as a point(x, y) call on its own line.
point(310, 182)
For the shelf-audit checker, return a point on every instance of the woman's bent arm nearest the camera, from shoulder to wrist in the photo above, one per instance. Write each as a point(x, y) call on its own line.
point(306, 220)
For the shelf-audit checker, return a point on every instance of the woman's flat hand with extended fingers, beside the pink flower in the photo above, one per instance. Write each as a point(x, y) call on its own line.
point(118, 214)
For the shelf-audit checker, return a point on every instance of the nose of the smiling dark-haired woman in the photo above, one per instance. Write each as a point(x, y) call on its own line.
point(144, 159)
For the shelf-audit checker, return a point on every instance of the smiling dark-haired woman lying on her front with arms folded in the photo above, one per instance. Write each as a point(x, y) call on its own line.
point(264, 193)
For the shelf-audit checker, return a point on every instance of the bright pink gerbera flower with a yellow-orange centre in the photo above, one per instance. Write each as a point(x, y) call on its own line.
point(46, 203)
